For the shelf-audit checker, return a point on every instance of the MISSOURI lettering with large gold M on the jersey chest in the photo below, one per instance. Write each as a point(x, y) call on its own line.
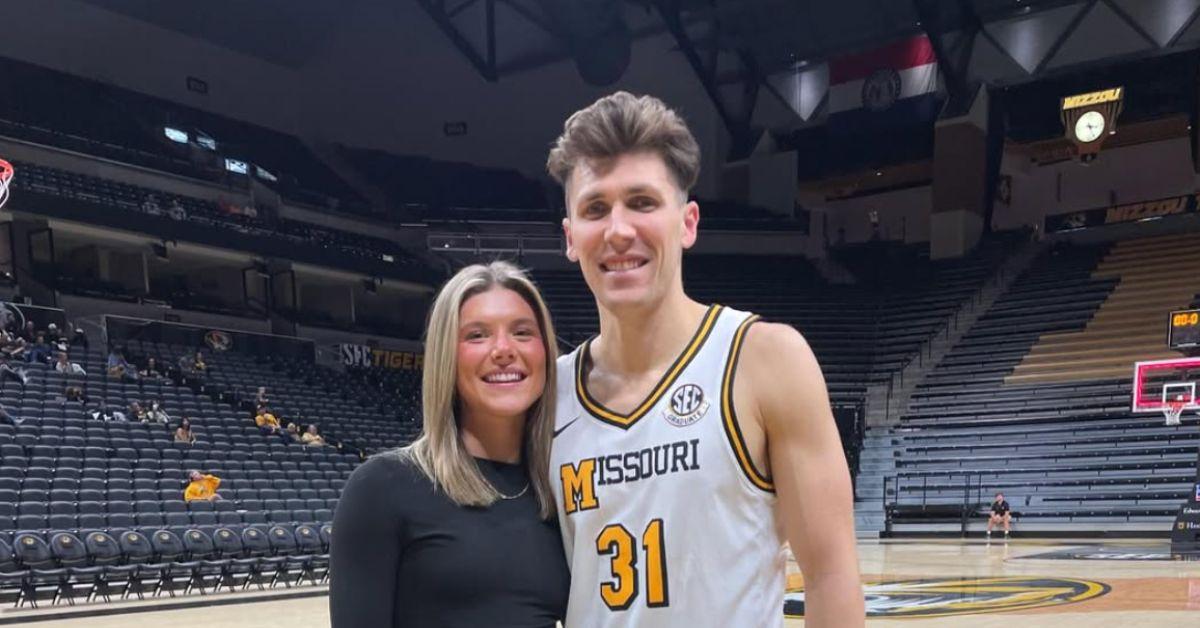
point(580, 480)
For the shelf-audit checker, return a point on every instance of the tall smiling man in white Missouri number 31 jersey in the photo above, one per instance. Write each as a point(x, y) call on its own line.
point(691, 442)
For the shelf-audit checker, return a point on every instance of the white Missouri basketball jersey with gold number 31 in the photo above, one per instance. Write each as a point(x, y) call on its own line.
point(665, 521)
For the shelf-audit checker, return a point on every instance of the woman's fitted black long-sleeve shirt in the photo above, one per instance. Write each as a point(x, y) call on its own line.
point(405, 555)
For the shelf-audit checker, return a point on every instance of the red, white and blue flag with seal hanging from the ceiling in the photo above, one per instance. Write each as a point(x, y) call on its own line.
point(895, 85)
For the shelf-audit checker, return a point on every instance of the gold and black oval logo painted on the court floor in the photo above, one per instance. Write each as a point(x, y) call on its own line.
point(964, 596)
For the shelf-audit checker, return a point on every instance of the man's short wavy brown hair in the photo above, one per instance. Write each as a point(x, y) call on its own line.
point(620, 124)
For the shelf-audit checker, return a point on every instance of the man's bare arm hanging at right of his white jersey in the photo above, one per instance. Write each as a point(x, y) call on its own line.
point(809, 471)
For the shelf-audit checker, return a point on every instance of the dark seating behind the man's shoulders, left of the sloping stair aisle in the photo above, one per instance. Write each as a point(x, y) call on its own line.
point(861, 334)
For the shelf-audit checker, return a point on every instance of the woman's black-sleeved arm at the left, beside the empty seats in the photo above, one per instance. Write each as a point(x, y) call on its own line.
point(367, 548)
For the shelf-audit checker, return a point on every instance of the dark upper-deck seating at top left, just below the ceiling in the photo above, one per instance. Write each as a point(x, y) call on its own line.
point(64, 111)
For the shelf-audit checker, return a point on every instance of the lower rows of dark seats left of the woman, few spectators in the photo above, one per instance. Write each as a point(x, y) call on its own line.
point(121, 483)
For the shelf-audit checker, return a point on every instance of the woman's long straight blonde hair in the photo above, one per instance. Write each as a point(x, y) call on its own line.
point(440, 452)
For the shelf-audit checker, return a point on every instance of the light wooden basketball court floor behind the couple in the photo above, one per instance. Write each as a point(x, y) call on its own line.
point(931, 583)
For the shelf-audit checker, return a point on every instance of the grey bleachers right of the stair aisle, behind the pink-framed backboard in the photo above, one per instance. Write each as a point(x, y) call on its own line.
point(1069, 454)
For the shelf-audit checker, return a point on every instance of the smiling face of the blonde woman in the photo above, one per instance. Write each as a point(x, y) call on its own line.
point(502, 362)
